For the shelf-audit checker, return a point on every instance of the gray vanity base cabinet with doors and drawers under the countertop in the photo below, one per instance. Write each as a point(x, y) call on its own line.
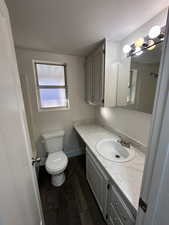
point(115, 209)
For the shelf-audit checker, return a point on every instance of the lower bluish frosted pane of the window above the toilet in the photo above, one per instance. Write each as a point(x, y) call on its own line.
point(52, 97)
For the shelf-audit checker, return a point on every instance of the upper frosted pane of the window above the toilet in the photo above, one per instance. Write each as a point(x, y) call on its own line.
point(50, 74)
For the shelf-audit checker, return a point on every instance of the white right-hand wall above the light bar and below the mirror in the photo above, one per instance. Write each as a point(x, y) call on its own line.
point(134, 124)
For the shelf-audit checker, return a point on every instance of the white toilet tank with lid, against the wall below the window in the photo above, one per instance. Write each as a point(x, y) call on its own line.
point(53, 141)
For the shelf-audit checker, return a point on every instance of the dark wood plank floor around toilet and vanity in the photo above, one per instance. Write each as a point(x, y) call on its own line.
point(72, 203)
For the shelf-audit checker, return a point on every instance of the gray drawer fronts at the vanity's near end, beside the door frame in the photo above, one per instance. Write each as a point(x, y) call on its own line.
point(121, 208)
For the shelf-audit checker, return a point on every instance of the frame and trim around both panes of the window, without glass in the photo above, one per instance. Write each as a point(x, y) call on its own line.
point(37, 86)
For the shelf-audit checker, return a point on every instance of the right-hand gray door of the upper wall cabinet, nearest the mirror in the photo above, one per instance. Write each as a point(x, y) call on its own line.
point(98, 75)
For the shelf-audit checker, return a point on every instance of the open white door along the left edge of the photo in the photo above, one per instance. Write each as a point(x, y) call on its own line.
point(19, 196)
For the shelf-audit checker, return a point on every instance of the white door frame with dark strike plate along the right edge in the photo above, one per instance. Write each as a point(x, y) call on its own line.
point(155, 185)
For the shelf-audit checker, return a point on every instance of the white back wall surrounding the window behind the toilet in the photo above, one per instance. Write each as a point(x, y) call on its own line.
point(40, 122)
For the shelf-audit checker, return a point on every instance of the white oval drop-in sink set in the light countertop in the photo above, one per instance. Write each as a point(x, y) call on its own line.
point(112, 150)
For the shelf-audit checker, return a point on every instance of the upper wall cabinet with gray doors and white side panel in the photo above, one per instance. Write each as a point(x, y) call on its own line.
point(101, 72)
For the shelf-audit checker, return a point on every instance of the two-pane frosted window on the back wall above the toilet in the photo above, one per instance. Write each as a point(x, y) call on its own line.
point(51, 85)
